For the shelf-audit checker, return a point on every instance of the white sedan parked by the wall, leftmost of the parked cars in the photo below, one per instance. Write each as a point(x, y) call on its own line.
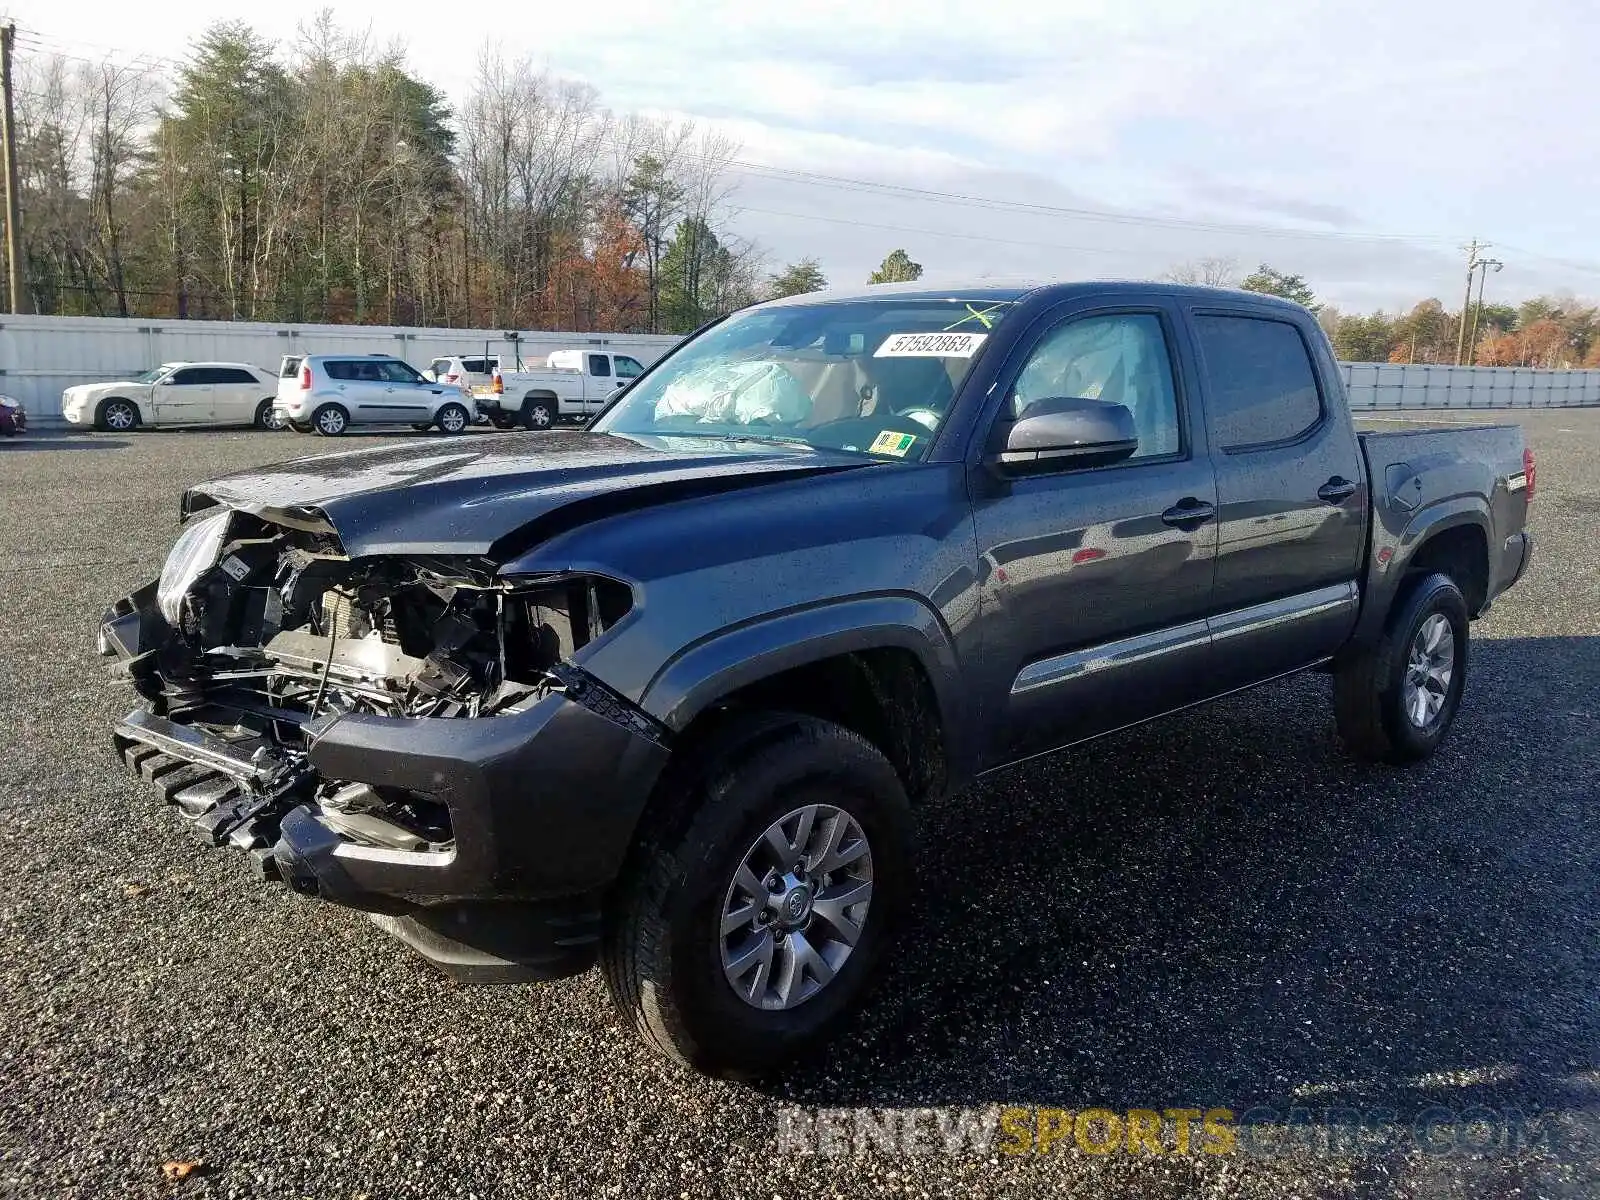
point(177, 394)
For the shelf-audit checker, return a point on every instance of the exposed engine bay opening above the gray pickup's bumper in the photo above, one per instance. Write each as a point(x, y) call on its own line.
point(281, 626)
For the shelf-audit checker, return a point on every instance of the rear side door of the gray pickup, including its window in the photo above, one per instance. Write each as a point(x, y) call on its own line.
point(1292, 503)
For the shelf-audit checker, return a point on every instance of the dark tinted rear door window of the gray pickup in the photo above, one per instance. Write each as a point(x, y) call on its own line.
point(1262, 385)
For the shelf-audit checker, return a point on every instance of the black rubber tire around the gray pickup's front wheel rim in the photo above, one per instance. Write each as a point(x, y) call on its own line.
point(663, 951)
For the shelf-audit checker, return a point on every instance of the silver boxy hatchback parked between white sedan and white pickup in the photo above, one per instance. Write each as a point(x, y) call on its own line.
point(330, 393)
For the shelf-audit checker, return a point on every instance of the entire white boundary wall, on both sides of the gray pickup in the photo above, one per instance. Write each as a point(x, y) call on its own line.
point(42, 356)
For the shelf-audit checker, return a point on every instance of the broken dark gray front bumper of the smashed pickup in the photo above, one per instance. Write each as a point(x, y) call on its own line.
point(538, 807)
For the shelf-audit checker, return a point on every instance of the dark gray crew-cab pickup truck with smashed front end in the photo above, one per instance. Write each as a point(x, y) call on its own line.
point(665, 694)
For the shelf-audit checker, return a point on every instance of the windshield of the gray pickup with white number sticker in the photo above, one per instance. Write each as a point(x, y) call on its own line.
point(866, 377)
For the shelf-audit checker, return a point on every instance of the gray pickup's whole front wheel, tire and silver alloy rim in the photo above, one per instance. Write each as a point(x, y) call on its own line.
point(762, 898)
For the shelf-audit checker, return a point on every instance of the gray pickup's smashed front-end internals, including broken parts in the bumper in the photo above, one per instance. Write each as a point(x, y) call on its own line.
point(260, 633)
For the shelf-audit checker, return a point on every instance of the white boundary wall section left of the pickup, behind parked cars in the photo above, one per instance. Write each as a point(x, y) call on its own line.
point(42, 356)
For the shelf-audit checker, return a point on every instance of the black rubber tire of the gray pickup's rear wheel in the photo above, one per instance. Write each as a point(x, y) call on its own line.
point(1370, 690)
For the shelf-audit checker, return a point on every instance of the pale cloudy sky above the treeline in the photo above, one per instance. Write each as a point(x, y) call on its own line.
point(1358, 143)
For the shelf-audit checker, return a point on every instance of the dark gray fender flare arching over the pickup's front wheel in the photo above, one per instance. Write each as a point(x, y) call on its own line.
point(748, 654)
